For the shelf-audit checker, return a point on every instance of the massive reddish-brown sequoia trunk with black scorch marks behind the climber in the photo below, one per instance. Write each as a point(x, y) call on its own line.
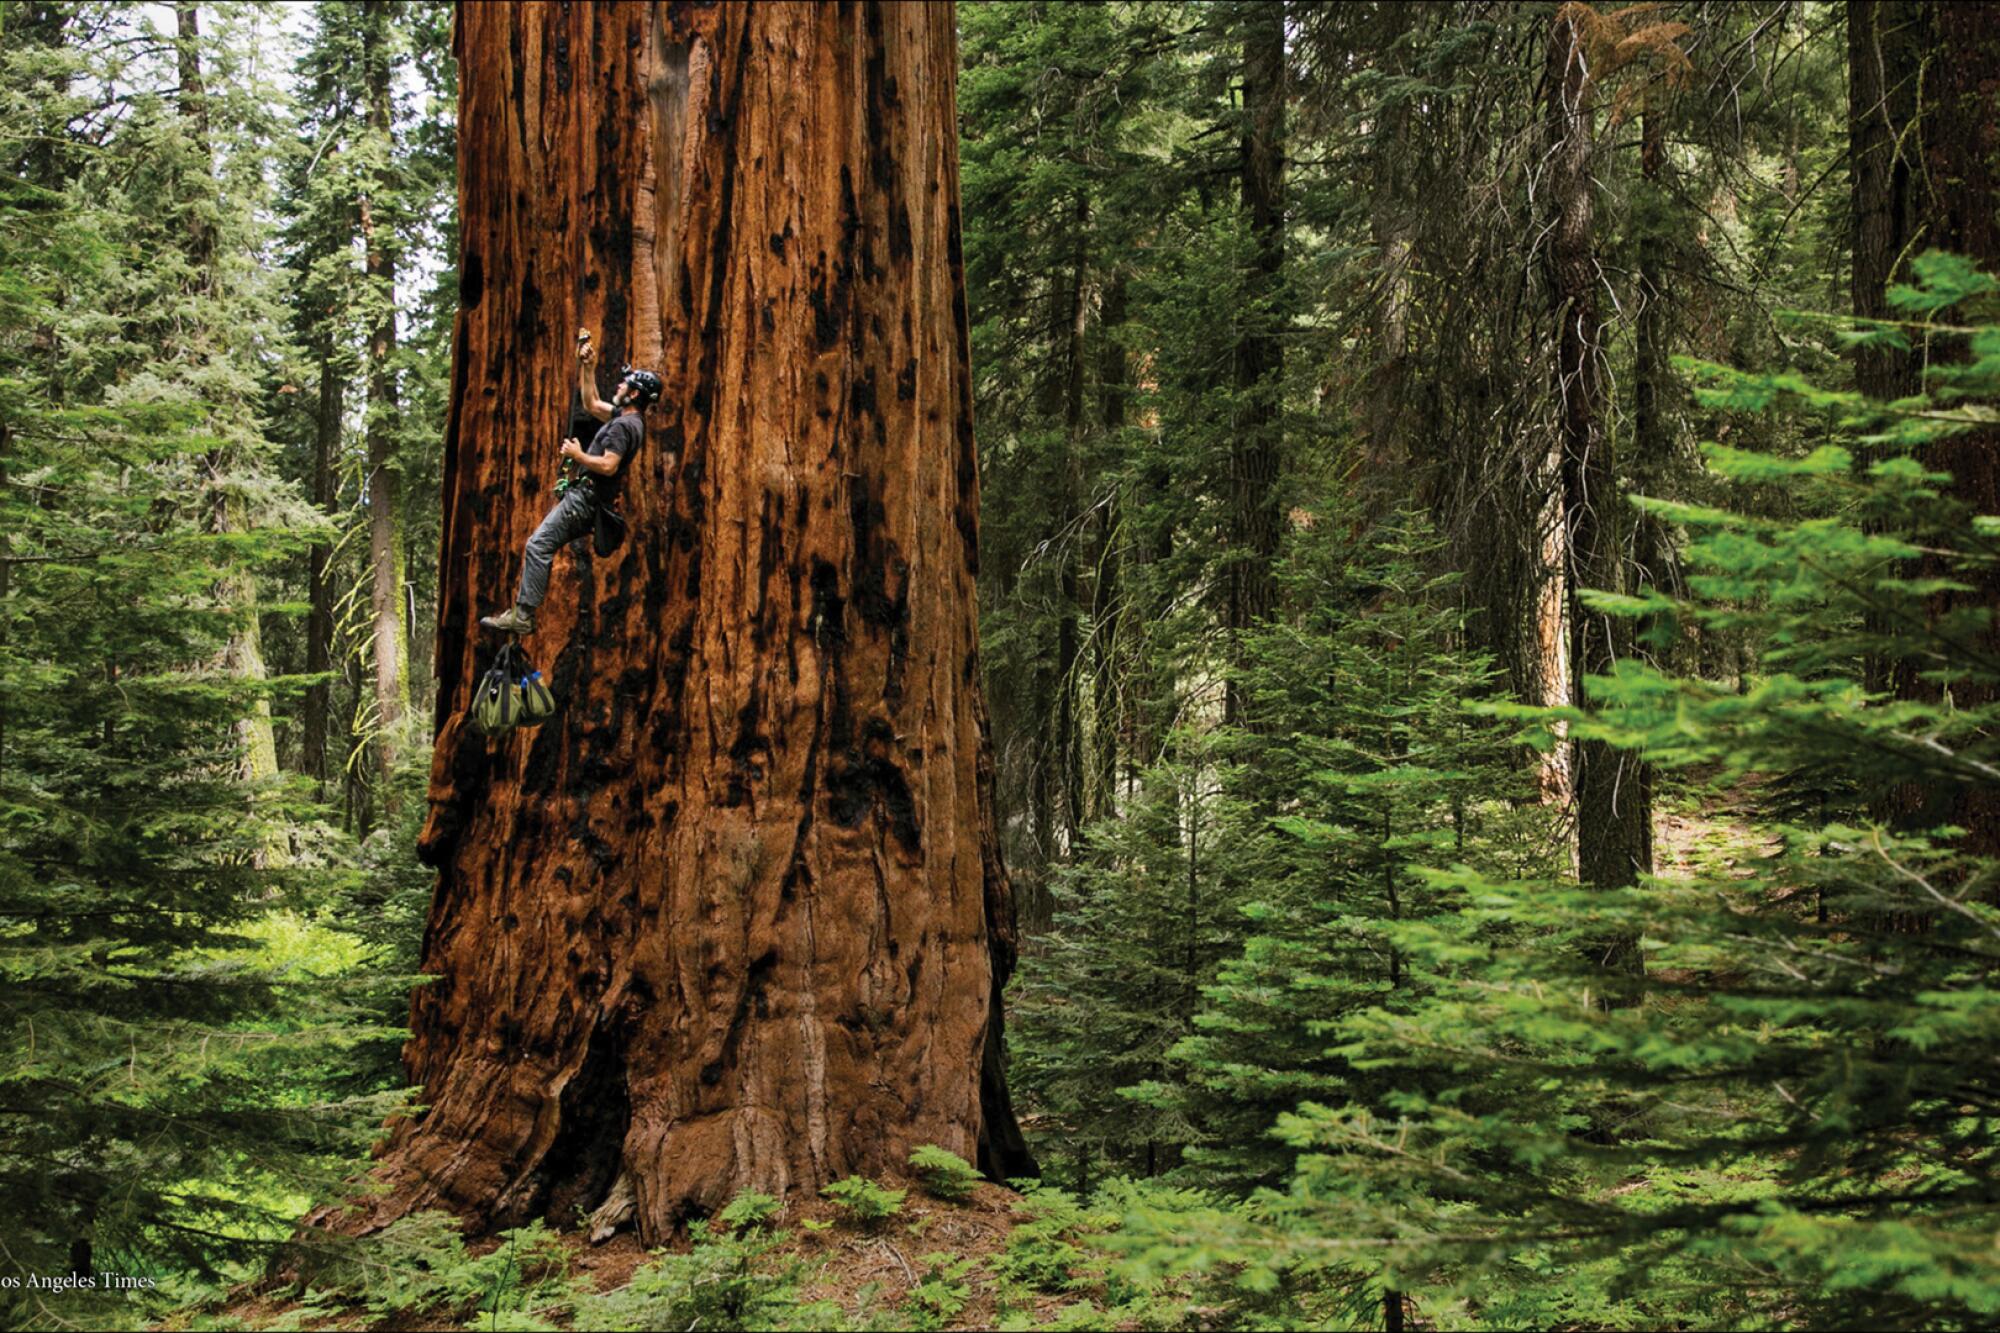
point(735, 918)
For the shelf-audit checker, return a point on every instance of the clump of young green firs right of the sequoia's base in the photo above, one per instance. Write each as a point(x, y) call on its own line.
point(1241, 906)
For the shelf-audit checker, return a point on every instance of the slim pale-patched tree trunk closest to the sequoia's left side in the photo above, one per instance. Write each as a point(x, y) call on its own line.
point(385, 499)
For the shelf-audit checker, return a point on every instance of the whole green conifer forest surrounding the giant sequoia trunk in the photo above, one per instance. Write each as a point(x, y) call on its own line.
point(1489, 577)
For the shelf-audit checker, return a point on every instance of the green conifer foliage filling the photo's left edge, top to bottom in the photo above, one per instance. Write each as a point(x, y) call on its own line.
point(163, 1110)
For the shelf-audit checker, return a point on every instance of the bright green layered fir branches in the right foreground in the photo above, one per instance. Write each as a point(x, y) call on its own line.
point(1791, 1120)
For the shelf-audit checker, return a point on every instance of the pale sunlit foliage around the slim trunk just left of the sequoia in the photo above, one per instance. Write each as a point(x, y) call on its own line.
point(337, 157)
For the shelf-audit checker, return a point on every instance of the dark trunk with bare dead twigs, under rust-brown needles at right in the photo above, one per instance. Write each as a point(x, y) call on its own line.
point(1613, 824)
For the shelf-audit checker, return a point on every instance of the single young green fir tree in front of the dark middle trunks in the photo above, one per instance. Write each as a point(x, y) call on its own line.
point(1367, 768)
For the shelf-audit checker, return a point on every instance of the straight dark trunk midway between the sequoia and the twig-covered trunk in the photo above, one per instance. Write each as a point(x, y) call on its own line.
point(1259, 349)
